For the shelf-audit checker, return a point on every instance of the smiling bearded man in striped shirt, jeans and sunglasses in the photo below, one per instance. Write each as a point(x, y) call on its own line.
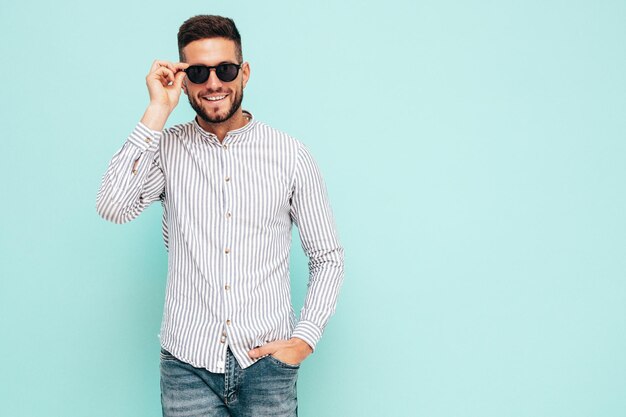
point(230, 187)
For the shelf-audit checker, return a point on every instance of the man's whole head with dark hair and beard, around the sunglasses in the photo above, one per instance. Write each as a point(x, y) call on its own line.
point(211, 41)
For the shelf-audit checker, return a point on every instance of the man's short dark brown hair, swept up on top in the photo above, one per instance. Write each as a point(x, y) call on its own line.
point(206, 27)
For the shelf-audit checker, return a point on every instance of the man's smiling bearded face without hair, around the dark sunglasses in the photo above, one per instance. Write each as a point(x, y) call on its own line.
point(215, 101)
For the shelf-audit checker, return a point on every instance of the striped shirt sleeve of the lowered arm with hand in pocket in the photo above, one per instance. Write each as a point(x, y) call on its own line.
point(311, 212)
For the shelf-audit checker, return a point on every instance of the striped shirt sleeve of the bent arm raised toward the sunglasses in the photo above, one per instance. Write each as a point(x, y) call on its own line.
point(134, 178)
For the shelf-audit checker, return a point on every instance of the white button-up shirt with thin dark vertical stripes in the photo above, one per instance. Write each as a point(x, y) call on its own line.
point(228, 210)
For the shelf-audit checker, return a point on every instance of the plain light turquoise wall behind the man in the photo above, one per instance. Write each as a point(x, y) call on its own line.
point(474, 155)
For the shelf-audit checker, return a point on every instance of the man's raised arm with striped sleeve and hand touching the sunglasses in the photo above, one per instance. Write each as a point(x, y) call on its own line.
point(134, 178)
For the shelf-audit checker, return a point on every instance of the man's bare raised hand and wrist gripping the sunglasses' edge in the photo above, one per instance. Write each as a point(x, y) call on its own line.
point(164, 82)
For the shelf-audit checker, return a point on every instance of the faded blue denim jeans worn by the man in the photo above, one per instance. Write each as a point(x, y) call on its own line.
point(266, 388)
